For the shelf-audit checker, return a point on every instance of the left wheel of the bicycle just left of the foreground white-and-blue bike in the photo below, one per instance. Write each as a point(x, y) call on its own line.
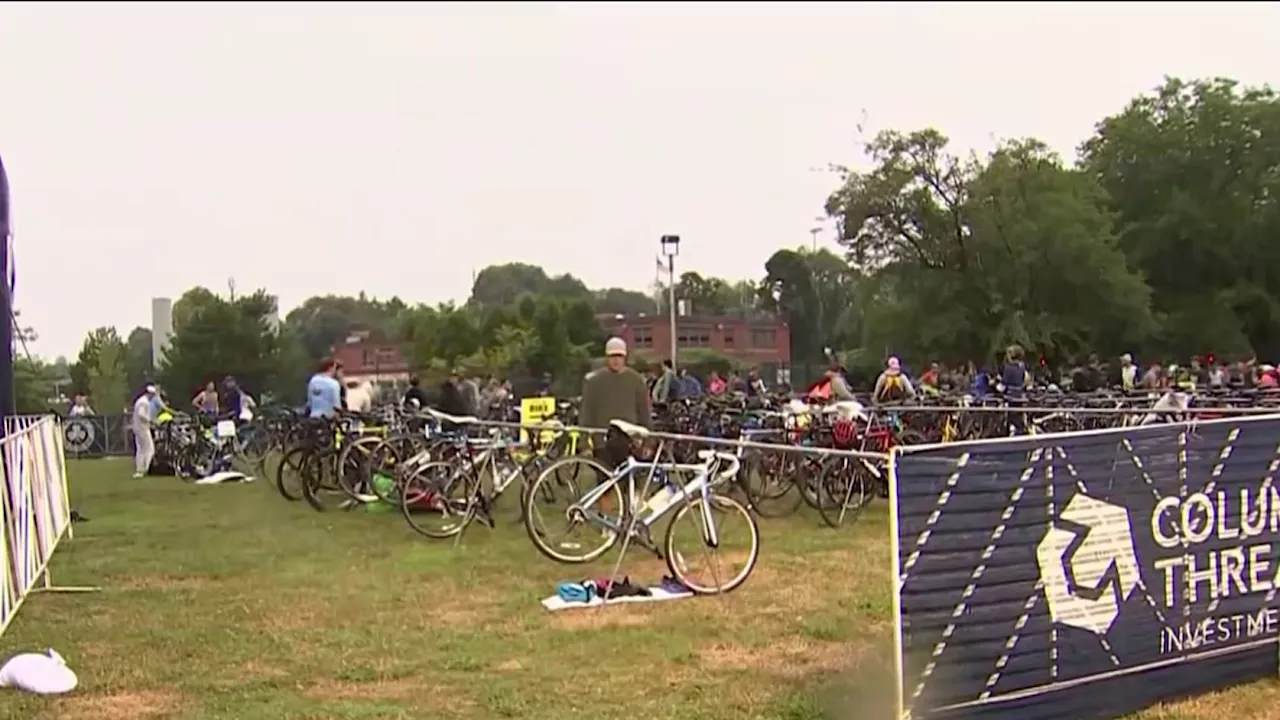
point(437, 500)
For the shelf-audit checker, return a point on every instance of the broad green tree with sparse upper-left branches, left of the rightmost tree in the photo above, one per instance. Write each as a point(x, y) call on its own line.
point(962, 257)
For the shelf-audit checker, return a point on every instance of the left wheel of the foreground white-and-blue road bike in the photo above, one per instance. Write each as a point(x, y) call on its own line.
point(555, 496)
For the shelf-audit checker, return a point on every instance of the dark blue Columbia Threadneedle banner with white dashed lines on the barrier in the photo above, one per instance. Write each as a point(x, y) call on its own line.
point(1087, 575)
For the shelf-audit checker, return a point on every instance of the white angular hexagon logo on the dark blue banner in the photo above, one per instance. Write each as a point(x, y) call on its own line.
point(1077, 568)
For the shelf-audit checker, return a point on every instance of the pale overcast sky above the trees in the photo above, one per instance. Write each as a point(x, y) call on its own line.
point(330, 148)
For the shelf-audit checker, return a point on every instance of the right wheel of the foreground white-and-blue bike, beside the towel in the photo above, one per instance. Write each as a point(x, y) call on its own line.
point(724, 512)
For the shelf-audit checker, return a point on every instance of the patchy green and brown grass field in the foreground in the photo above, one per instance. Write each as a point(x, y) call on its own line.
point(228, 603)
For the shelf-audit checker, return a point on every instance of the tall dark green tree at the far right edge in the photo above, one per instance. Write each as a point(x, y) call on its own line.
point(1191, 174)
